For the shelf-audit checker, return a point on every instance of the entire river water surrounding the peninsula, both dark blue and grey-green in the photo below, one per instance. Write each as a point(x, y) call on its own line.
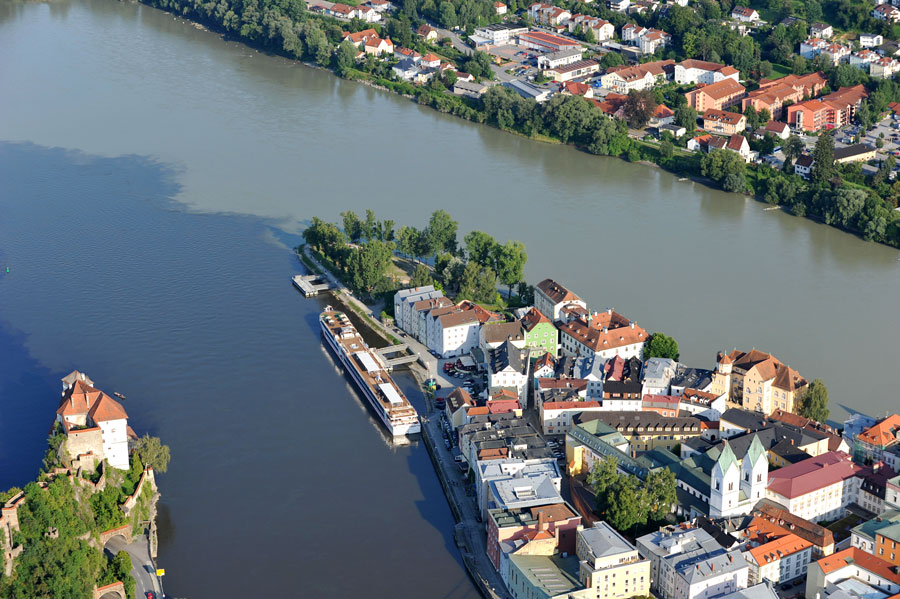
point(152, 180)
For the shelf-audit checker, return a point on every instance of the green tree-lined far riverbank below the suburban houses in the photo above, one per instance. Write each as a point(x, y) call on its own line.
point(319, 40)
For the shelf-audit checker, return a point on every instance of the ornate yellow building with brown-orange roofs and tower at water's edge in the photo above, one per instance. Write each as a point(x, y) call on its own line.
point(758, 381)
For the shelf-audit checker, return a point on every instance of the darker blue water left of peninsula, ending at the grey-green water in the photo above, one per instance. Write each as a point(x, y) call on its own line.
point(193, 317)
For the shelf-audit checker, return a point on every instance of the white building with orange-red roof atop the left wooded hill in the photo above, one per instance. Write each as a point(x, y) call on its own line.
point(95, 424)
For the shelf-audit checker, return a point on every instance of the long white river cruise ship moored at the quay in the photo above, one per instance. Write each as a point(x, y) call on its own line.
point(368, 372)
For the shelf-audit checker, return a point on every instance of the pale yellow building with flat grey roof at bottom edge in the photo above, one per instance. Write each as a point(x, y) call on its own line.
point(609, 565)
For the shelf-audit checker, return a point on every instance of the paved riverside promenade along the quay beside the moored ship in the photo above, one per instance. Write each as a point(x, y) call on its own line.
point(469, 533)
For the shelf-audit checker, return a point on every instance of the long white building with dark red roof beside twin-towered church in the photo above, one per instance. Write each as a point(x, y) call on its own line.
point(819, 488)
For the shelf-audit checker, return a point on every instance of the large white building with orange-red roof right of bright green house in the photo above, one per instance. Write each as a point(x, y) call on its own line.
point(605, 334)
